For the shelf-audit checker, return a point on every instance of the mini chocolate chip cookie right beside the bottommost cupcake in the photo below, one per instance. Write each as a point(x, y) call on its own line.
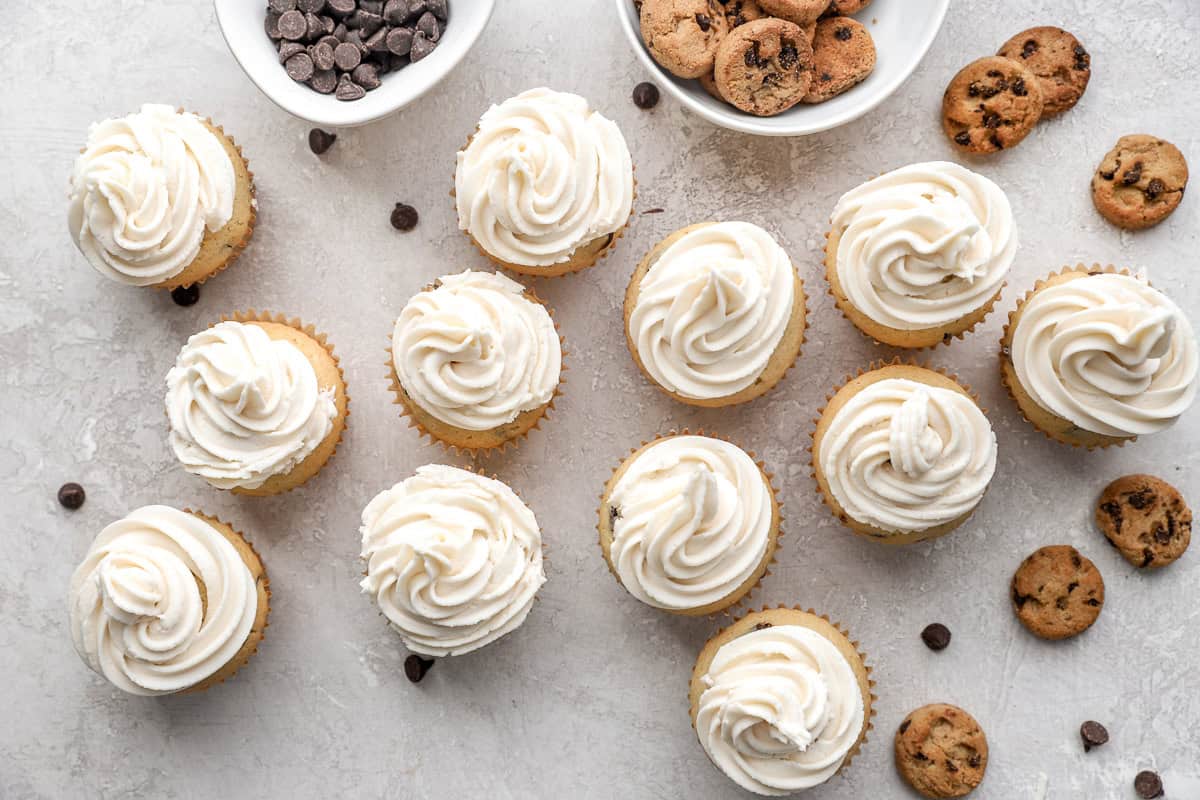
point(941, 751)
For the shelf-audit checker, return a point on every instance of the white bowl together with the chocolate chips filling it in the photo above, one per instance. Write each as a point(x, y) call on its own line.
point(346, 63)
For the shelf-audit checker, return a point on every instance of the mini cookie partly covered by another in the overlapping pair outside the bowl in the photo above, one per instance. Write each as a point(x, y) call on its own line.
point(1061, 64)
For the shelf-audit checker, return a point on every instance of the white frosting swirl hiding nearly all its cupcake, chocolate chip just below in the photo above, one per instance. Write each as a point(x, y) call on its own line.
point(454, 560)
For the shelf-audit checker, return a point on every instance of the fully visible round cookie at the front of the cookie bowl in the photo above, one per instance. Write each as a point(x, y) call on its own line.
point(765, 68)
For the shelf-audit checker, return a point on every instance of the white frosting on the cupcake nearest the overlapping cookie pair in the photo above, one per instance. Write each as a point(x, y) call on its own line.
point(925, 245)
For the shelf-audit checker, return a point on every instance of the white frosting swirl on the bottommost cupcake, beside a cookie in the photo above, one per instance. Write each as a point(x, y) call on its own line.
point(782, 709)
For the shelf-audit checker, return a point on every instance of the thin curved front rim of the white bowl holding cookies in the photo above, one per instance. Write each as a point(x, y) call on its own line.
point(736, 121)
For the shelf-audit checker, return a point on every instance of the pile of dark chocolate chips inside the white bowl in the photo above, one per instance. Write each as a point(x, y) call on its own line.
point(344, 47)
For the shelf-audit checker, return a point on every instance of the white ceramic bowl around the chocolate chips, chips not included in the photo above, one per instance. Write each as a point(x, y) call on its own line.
point(242, 25)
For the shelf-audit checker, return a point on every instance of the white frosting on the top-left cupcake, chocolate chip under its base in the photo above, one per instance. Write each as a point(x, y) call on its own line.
point(146, 190)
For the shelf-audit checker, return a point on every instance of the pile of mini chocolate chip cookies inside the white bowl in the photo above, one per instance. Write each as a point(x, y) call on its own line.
point(761, 57)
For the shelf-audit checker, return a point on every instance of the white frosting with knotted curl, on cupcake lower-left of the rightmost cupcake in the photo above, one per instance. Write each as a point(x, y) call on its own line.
point(905, 458)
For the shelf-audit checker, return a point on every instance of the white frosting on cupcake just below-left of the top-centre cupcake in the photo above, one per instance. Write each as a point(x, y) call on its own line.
point(476, 352)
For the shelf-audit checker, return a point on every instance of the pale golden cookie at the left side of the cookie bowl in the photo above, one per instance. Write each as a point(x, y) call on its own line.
point(683, 35)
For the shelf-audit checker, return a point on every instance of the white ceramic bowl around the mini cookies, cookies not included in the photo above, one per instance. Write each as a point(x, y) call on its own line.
point(903, 32)
